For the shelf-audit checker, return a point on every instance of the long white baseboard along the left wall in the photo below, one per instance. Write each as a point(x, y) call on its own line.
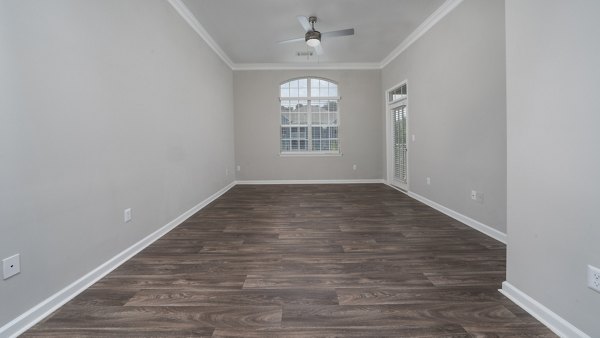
point(20, 324)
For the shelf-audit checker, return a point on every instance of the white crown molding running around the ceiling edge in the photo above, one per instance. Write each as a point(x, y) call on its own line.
point(436, 16)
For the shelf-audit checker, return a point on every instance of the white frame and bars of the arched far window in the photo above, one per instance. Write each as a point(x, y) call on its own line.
point(308, 99)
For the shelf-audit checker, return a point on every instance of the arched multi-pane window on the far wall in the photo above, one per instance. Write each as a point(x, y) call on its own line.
point(309, 116)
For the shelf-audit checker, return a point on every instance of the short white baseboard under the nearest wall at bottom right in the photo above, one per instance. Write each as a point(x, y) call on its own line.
point(554, 322)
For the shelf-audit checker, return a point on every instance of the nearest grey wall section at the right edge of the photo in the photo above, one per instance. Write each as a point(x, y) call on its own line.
point(553, 78)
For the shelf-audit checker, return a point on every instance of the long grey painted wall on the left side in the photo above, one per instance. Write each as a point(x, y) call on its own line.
point(104, 105)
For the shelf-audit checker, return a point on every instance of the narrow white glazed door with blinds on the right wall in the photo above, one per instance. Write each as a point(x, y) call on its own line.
point(399, 148)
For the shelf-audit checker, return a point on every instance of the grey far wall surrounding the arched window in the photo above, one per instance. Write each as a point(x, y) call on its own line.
point(257, 125)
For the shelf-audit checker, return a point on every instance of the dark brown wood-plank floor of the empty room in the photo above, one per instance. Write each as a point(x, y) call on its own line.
point(358, 260)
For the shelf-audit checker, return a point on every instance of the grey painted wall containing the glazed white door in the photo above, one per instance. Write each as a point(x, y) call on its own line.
point(457, 110)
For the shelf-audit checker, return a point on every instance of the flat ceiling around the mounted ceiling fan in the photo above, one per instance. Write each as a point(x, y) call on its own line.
point(248, 30)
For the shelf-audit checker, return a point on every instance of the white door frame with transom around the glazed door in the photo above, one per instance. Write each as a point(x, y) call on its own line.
point(389, 137)
